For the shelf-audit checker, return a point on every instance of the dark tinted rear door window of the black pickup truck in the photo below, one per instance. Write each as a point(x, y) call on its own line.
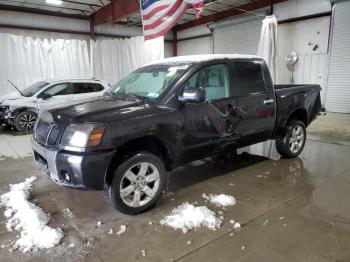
point(248, 79)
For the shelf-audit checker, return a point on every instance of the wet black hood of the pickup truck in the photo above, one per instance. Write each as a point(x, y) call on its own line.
point(100, 109)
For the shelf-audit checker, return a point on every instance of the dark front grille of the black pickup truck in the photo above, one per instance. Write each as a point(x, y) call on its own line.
point(46, 133)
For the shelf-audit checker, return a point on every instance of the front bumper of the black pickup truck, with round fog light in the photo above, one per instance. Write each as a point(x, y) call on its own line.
point(78, 170)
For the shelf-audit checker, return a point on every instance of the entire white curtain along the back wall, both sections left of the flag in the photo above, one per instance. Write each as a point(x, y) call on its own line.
point(30, 56)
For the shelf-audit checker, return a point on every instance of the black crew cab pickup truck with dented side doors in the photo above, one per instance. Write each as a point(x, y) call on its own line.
point(167, 114)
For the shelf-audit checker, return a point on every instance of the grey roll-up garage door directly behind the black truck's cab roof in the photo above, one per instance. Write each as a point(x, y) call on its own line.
point(240, 37)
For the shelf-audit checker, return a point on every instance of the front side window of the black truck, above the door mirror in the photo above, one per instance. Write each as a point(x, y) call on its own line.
point(214, 79)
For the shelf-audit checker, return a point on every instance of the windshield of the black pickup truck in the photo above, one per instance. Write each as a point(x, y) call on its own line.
point(149, 82)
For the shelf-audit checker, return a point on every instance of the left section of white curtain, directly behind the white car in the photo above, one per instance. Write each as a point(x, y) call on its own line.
point(28, 56)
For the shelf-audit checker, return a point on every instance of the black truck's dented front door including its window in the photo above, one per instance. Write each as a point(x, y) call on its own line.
point(209, 124)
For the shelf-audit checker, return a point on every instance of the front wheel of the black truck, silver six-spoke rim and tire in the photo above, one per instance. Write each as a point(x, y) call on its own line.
point(134, 190)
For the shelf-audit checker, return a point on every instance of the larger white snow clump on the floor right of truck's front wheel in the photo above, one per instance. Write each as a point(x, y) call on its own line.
point(187, 217)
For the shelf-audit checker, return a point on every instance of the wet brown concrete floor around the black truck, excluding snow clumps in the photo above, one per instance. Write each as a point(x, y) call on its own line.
point(290, 210)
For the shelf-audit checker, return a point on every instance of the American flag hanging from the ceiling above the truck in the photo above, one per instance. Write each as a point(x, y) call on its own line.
point(159, 16)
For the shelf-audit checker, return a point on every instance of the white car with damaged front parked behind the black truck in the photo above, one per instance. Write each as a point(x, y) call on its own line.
point(21, 111)
